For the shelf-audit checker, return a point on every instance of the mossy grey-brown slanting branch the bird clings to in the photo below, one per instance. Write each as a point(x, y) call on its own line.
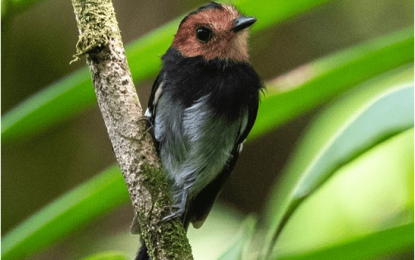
point(133, 146)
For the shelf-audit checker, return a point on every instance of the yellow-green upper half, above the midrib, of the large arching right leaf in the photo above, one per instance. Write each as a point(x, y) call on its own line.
point(326, 125)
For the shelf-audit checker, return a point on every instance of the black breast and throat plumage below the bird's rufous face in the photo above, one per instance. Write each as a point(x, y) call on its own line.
point(232, 86)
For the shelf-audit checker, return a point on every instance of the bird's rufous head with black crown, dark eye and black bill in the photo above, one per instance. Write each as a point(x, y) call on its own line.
point(214, 31)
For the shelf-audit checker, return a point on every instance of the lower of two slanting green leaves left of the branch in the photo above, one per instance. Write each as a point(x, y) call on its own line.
point(66, 214)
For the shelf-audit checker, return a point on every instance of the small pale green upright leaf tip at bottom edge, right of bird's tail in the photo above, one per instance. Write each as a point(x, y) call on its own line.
point(239, 249)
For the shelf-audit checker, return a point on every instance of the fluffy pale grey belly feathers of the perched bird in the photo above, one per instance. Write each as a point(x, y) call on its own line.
point(194, 159)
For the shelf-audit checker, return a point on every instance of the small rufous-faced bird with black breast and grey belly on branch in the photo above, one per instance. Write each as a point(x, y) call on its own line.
point(202, 106)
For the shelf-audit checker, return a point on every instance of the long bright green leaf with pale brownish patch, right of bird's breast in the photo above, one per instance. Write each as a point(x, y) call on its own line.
point(330, 77)
